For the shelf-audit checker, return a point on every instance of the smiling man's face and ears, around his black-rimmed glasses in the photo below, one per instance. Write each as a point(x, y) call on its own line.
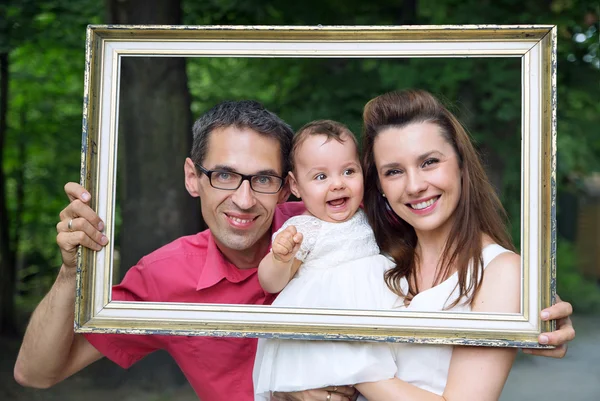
point(238, 219)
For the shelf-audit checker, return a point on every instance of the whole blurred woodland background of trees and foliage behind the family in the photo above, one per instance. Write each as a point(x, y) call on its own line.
point(41, 86)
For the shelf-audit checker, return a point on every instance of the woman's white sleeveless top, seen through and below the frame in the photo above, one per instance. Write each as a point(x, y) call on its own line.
point(426, 365)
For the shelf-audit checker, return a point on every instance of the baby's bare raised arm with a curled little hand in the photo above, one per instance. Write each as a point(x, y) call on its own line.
point(279, 266)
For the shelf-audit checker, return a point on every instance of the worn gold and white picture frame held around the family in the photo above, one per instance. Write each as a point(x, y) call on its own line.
point(535, 45)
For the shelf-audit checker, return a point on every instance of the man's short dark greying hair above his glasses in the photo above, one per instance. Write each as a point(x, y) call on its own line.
point(242, 114)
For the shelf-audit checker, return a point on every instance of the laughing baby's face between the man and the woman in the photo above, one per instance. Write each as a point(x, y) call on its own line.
point(328, 177)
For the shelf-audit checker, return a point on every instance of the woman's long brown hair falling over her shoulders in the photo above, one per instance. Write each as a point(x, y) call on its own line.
point(478, 212)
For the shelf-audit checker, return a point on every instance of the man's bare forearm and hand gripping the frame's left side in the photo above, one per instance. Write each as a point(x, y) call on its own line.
point(51, 351)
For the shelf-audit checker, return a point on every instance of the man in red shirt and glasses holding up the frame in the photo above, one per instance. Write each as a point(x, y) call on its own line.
point(238, 159)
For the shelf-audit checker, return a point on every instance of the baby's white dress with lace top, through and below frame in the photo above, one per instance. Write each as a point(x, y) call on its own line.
point(342, 269)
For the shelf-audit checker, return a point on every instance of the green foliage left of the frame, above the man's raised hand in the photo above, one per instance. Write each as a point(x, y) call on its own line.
point(45, 42)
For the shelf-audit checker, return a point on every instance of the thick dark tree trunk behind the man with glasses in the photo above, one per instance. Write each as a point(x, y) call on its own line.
point(154, 139)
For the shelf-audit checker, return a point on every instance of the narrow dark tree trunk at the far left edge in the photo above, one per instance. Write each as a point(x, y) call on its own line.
point(7, 251)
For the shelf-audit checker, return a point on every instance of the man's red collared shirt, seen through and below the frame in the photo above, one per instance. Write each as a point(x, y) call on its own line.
point(192, 269)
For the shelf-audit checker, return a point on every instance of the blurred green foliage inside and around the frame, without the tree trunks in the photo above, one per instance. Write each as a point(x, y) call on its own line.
point(45, 40)
